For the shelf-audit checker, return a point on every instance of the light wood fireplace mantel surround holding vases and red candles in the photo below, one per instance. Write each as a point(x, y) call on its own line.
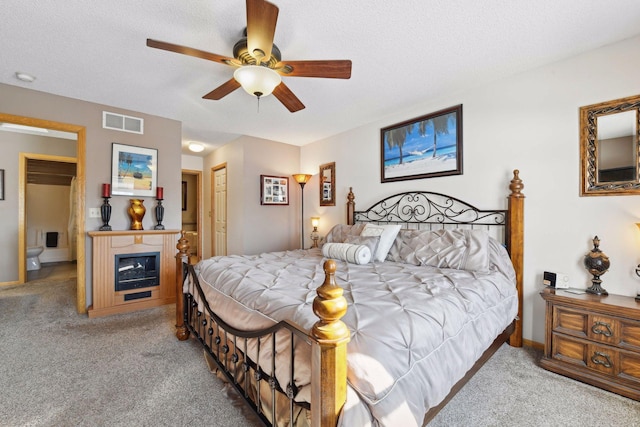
point(108, 244)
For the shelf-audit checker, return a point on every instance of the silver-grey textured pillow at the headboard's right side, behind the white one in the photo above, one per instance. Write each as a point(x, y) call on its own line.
point(459, 249)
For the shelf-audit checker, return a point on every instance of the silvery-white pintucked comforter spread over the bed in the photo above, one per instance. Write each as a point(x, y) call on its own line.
point(415, 331)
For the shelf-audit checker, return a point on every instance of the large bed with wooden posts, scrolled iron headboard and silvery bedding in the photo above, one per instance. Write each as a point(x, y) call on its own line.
point(330, 337)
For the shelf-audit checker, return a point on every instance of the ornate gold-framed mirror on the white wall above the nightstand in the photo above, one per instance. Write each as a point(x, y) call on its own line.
point(609, 148)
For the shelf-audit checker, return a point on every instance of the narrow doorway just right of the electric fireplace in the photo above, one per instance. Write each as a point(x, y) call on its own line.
point(192, 211)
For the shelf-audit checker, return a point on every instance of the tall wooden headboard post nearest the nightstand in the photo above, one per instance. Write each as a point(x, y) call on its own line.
point(515, 245)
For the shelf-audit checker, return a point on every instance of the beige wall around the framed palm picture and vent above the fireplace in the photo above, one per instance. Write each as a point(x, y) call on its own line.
point(160, 133)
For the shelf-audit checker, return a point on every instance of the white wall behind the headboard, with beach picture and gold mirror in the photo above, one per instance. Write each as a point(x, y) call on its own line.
point(528, 122)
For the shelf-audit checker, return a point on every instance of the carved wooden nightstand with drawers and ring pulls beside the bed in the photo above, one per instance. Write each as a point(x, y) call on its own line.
point(594, 339)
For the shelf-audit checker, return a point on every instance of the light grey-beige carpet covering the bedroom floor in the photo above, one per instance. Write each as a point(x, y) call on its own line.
point(59, 368)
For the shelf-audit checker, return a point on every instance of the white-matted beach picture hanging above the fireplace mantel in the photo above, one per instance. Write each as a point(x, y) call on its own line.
point(134, 170)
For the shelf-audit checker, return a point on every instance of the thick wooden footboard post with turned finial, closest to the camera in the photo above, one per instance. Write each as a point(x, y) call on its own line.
point(329, 352)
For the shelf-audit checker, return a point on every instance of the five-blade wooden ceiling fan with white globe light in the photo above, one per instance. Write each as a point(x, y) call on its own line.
point(258, 62)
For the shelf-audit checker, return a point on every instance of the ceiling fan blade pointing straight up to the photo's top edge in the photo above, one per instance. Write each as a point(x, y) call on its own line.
point(262, 17)
